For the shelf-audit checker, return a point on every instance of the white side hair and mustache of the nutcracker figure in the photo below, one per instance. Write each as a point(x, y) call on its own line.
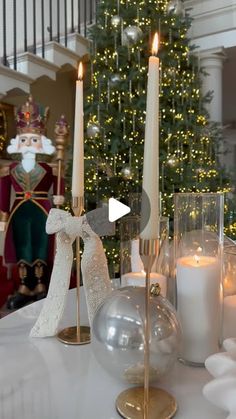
point(47, 147)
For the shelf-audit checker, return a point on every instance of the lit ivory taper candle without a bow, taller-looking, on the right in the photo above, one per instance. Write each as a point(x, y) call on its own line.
point(151, 149)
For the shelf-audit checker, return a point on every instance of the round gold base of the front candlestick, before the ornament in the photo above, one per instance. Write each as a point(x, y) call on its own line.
point(130, 404)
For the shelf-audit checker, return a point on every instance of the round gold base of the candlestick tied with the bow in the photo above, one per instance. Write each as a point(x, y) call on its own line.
point(70, 335)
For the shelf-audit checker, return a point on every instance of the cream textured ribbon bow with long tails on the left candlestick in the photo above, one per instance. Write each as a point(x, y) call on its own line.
point(96, 281)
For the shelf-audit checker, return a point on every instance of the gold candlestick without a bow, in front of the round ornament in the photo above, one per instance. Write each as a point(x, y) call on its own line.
point(146, 402)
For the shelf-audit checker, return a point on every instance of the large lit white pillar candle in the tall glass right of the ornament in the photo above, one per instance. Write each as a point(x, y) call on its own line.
point(199, 306)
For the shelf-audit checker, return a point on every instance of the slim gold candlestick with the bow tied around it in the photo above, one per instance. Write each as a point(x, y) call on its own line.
point(76, 335)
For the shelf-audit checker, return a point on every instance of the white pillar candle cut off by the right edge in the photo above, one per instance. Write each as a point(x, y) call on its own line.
point(229, 324)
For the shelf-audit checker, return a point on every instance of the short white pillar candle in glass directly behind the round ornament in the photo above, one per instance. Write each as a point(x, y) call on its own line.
point(138, 279)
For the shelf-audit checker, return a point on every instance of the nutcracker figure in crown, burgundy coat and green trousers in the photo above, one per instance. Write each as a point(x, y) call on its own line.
point(26, 241)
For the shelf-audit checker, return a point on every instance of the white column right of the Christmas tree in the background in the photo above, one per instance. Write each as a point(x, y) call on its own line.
point(212, 63)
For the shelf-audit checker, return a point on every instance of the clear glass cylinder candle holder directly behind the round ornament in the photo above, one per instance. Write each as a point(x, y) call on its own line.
point(131, 268)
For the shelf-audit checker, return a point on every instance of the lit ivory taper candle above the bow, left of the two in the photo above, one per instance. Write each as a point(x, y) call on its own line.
point(78, 150)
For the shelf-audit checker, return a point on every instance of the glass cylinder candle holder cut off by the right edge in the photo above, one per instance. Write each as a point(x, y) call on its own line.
point(229, 281)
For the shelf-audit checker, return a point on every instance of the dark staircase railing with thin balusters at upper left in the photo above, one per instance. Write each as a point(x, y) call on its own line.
point(27, 25)
